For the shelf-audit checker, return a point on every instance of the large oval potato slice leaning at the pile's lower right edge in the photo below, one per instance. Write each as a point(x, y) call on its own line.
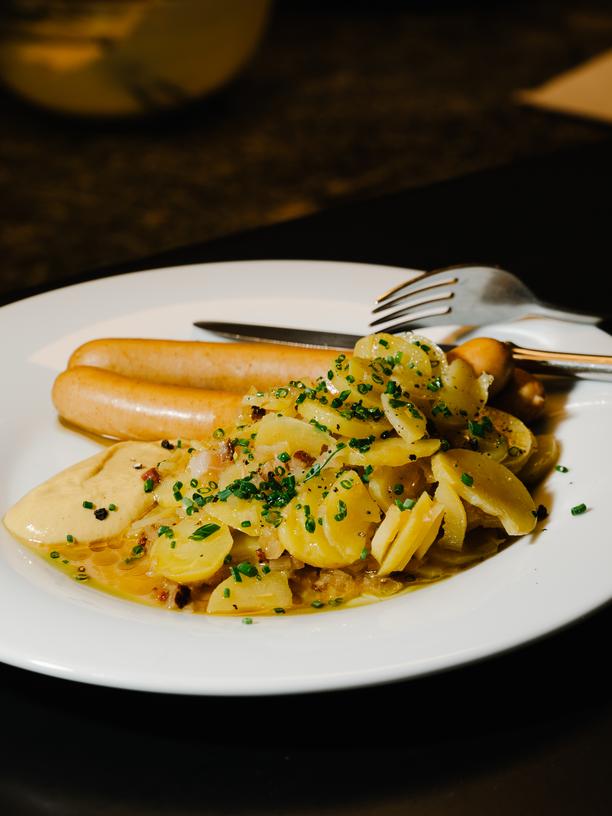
point(489, 486)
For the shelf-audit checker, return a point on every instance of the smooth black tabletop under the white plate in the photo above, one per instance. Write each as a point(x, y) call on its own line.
point(526, 732)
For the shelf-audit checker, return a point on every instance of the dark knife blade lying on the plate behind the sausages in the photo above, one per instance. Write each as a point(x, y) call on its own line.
point(306, 338)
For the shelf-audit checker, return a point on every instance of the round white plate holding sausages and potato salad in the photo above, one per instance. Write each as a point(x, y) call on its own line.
point(53, 625)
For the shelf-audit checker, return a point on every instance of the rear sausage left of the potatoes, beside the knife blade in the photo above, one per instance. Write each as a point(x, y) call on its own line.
point(196, 364)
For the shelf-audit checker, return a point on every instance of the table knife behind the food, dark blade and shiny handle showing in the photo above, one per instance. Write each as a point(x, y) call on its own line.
point(555, 363)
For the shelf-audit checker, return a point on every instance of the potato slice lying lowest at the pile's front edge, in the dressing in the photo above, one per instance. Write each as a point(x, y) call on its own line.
point(263, 594)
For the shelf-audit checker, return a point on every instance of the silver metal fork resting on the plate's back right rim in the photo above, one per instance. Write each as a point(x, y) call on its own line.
point(464, 295)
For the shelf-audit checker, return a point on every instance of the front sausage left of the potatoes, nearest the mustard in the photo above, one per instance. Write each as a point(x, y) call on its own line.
point(121, 407)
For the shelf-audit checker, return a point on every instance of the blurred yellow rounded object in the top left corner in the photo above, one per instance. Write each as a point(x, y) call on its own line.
point(126, 58)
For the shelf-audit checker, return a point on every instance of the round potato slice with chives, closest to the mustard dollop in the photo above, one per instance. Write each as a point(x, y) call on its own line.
point(186, 560)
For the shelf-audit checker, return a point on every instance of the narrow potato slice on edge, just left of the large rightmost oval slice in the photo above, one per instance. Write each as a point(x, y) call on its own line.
point(418, 530)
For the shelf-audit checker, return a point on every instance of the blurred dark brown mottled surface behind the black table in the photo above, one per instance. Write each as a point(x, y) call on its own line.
point(344, 100)
